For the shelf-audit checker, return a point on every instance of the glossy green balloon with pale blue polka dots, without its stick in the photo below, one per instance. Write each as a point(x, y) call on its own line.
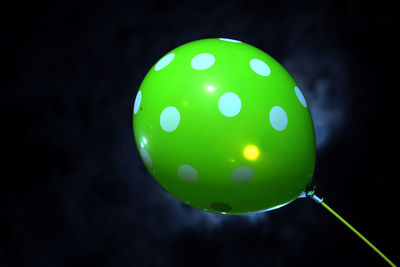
point(223, 127)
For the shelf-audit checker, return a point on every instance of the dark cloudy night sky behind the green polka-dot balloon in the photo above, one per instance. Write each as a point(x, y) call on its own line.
point(74, 191)
